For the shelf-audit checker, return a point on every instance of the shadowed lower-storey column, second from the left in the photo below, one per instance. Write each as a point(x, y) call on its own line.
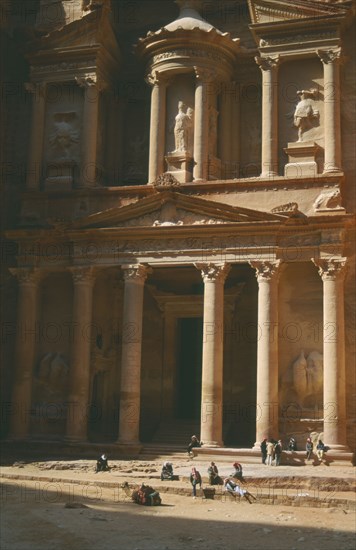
point(79, 372)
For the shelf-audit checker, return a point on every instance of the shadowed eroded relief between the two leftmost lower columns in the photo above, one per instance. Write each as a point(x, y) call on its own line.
point(52, 379)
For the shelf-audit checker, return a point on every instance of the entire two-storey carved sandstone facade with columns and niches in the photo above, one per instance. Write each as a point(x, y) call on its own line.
point(180, 244)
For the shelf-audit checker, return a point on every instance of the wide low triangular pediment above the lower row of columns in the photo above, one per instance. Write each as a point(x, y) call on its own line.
point(169, 208)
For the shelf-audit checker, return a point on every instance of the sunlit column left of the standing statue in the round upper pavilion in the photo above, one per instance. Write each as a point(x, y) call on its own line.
point(157, 125)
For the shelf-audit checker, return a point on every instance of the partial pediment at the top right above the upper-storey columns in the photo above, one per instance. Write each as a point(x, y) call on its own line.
point(272, 11)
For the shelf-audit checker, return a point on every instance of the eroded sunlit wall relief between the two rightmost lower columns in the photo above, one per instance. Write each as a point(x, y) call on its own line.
point(303, 381)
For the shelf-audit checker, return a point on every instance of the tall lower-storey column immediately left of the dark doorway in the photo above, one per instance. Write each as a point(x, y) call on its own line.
point(130, 389)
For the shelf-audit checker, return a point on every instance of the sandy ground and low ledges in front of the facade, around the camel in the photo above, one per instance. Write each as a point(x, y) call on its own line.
point(34, 515)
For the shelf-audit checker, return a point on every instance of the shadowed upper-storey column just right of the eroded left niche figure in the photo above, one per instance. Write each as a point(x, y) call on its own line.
point(89, 166)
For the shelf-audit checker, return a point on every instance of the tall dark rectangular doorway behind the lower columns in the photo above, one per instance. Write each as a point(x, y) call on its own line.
point(189, 364)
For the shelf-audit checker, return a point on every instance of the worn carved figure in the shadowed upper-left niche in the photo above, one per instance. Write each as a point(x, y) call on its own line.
point(64, 135)
